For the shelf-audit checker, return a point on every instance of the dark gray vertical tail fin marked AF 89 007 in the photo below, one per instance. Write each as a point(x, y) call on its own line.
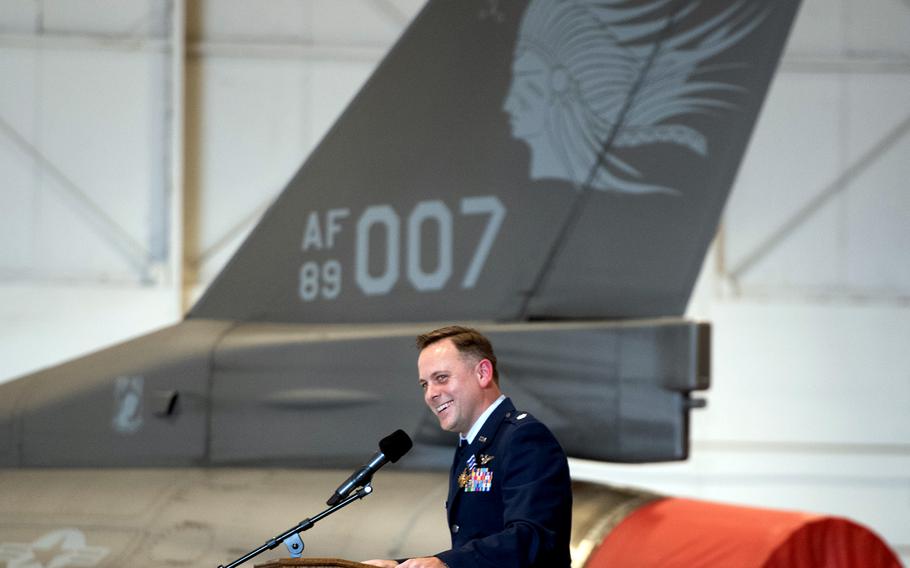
point(518, 160)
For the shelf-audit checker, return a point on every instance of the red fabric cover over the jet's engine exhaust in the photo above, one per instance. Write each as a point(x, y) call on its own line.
point(686, 533)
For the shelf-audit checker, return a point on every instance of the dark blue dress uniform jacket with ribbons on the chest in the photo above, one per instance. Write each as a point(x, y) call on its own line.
point(513, 507)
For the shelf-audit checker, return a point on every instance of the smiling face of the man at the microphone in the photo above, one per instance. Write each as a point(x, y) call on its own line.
point(451, 385)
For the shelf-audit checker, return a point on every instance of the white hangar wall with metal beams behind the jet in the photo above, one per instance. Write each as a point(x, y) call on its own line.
point(141, 139)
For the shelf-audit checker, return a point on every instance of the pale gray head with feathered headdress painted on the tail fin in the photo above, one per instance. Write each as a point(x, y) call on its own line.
point(589, 76)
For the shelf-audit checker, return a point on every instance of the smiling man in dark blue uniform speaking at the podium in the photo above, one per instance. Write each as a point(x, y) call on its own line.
point(510, 497)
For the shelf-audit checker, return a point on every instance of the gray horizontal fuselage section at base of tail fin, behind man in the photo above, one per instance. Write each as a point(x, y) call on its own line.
point(292, 394)
